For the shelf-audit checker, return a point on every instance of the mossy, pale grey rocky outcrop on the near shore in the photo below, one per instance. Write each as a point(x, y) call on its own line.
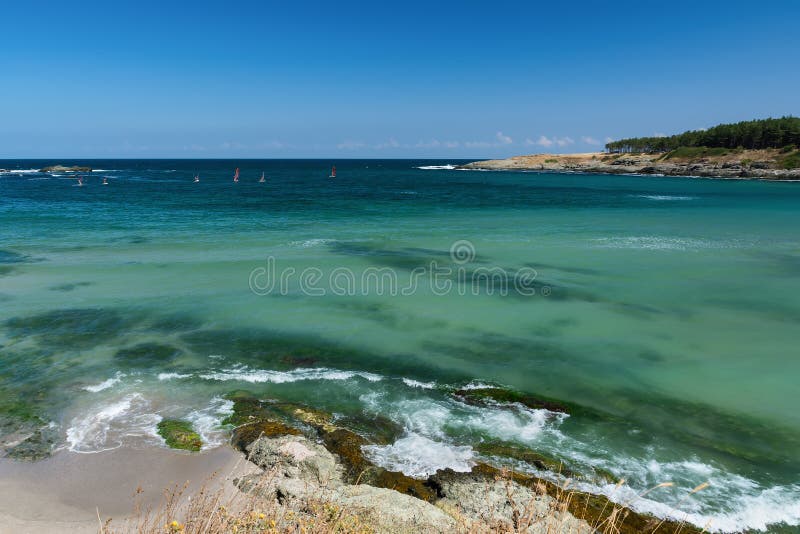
point(307, 456)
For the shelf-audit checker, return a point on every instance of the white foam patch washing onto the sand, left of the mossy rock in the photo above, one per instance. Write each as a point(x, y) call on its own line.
point(107, 426)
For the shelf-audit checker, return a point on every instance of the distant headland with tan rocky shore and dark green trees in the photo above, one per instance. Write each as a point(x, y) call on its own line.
point(762, 149)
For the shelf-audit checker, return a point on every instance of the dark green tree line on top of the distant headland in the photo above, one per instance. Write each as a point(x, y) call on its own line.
point(756, 134)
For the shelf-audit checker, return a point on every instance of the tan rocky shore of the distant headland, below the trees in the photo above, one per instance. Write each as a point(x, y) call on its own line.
point(744, 165)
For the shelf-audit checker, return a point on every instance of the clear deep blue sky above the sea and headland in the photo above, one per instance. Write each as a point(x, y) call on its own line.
point(383, 79)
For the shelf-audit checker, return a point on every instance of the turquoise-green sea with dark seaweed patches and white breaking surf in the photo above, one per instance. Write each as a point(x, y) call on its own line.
point(665, 308)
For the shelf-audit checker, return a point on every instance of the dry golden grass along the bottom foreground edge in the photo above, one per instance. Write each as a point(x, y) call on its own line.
point(219, 508)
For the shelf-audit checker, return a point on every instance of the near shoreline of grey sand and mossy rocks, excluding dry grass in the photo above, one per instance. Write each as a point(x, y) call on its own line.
point(291, 458)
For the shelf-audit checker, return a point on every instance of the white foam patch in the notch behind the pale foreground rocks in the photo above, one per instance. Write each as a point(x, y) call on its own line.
point(419, 457)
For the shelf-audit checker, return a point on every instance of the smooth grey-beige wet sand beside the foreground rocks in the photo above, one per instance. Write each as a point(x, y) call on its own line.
point(65, 492)
